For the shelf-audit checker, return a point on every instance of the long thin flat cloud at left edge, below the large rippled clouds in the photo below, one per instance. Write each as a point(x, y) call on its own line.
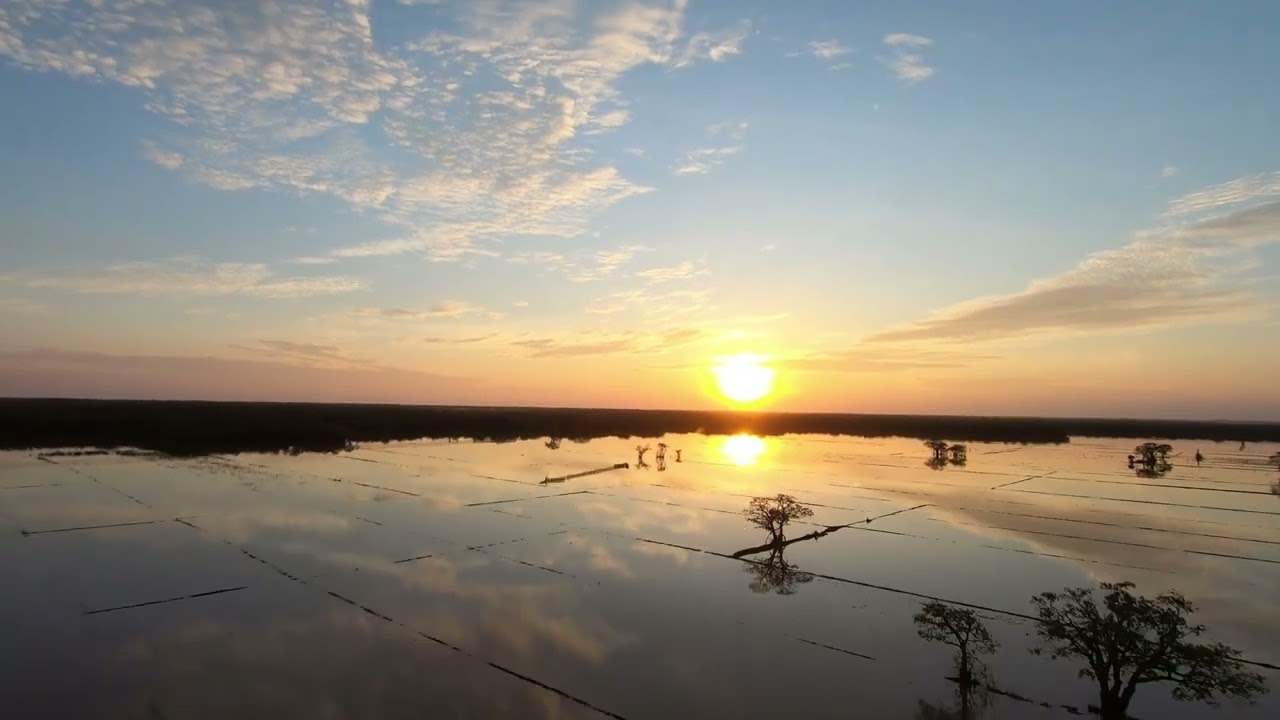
point(186, 276)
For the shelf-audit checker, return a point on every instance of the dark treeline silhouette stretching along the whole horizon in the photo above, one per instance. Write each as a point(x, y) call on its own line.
point(195, 429)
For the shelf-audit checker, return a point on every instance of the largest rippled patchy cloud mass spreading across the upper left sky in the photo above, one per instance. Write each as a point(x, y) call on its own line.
point(476, 133)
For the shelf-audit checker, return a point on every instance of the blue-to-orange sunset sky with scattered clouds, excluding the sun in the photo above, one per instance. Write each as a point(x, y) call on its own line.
point(950, 208)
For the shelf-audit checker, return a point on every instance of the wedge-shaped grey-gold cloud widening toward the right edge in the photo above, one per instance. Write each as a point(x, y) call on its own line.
point(1181, 274)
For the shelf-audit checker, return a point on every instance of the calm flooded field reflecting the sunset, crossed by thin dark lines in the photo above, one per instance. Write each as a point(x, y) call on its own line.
point(460, 580)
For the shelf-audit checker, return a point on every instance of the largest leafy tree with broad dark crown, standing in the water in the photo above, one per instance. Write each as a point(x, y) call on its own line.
point(1131, 641)
